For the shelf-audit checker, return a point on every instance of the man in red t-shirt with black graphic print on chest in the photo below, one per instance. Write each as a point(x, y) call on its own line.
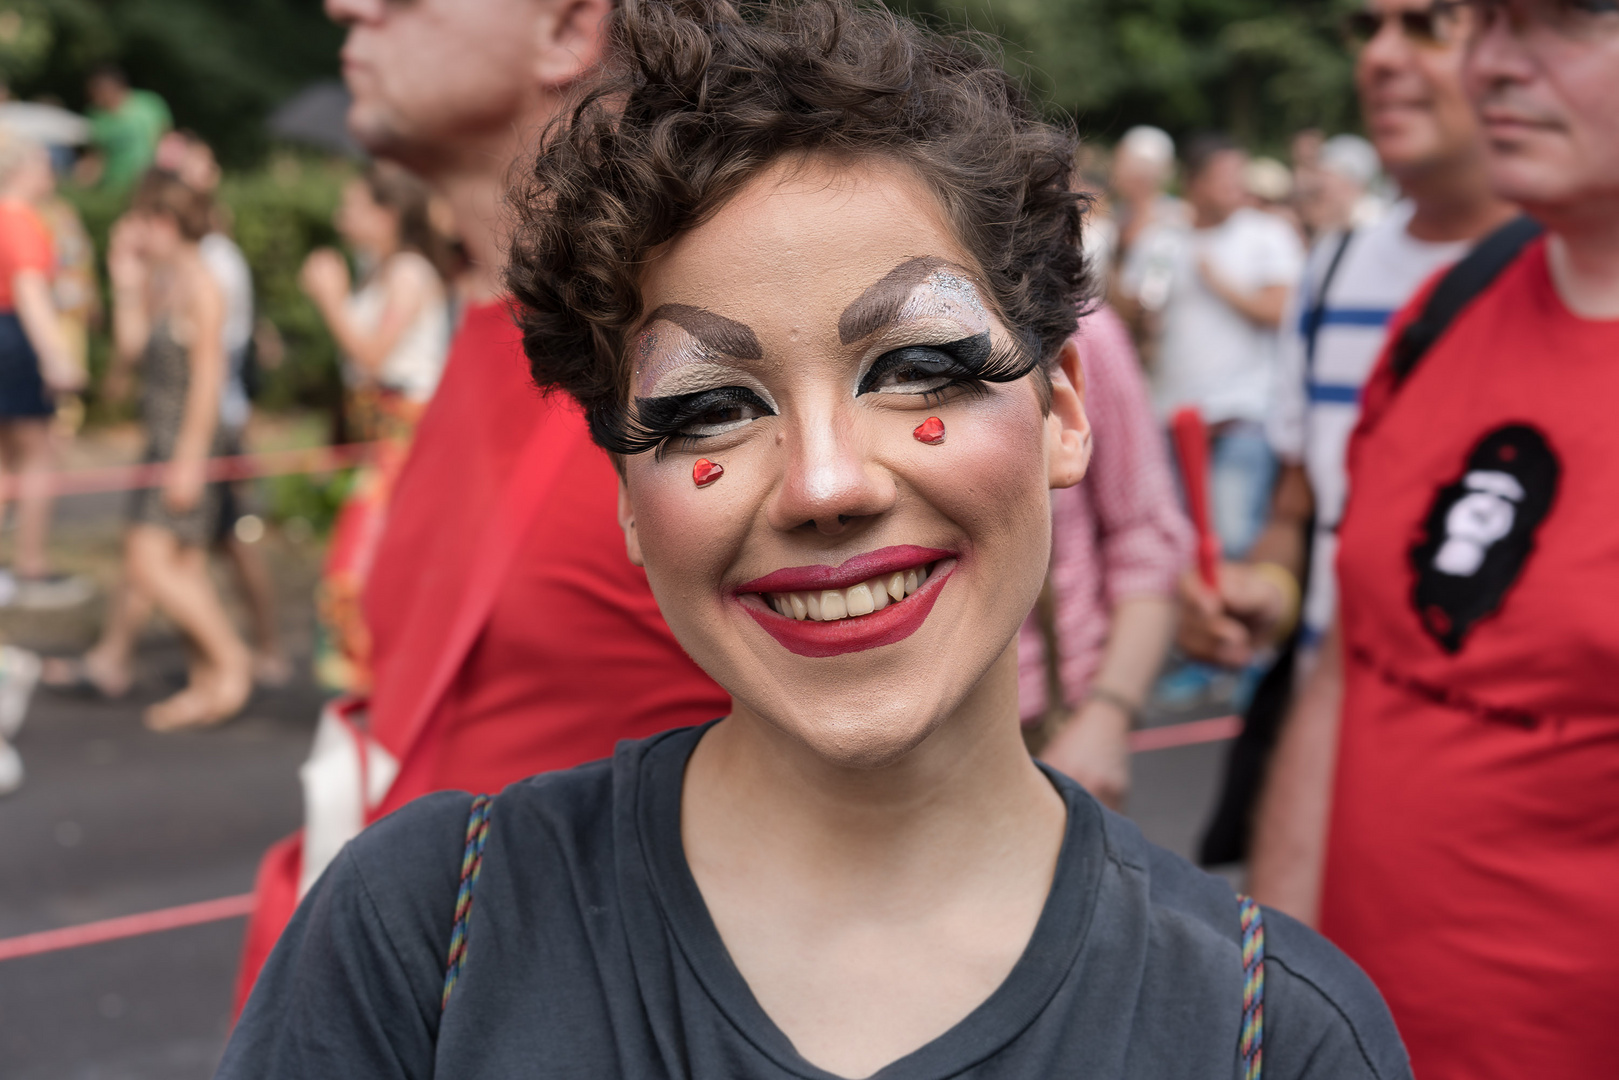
point(1466, 853)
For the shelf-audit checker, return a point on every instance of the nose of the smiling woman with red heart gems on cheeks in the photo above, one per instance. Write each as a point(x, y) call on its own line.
point(831, 480)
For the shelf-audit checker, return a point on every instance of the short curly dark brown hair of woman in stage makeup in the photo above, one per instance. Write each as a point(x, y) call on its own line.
point(703, 95)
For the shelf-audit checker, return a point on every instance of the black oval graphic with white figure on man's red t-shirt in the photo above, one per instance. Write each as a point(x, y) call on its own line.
point(1481, 532)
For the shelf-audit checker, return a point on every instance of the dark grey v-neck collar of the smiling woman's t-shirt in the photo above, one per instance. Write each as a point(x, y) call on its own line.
point(1048, 959)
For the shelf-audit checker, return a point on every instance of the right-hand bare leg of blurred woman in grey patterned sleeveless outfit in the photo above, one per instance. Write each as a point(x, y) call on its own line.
point(177, 582)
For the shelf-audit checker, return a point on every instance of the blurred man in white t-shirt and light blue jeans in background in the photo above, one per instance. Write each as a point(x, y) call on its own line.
point(1230, 278)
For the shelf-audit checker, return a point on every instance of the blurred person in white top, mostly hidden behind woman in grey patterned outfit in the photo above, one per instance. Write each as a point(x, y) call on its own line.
point(239, 532)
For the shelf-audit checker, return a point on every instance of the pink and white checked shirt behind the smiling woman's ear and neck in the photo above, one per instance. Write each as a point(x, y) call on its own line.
point(1120, 534)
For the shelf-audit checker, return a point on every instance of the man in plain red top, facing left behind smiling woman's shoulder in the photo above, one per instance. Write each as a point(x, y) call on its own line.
point(509, 632)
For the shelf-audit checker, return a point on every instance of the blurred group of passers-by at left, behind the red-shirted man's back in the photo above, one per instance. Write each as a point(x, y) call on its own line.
point(184, 344)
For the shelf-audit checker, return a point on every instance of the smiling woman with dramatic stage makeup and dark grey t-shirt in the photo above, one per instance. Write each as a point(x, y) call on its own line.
point(812, 273)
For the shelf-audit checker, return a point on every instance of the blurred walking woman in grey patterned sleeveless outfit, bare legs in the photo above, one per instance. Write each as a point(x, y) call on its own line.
point(169, 315)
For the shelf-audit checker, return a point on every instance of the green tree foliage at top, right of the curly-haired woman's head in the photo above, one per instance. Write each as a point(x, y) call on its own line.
point(1259, 69)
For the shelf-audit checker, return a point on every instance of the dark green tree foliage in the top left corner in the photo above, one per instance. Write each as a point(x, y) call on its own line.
point(221, 64)
